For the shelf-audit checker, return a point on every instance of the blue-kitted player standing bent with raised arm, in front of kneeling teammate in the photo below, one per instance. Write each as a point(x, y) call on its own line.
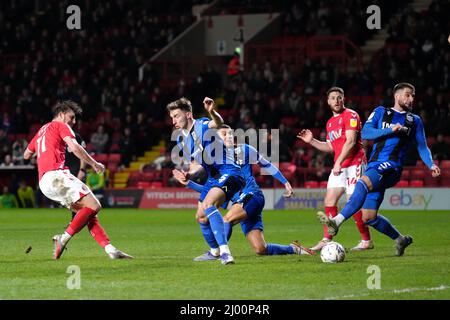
point(201, 145)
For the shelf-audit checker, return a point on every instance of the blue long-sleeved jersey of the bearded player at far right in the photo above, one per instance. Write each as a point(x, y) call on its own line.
point(393, 146)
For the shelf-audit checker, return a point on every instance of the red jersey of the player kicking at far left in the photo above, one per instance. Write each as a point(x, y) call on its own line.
point(49, 146)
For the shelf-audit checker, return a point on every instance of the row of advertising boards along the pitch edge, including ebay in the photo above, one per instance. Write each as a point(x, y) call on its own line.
point(179, 198)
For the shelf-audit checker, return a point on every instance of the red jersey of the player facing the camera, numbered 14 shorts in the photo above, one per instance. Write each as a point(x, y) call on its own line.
point(336, 127)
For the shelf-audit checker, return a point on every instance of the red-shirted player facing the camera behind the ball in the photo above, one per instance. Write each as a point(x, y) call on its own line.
point(344, 139)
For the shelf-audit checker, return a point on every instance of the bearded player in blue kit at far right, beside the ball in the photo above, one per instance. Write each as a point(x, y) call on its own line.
point(393, 130)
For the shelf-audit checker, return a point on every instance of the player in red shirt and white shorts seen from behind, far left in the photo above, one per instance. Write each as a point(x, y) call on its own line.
point(58, 184)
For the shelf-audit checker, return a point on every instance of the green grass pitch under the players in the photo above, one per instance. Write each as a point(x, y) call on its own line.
point(165, 241)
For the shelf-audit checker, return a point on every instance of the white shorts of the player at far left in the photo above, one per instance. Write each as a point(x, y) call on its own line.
point(63, 187)
